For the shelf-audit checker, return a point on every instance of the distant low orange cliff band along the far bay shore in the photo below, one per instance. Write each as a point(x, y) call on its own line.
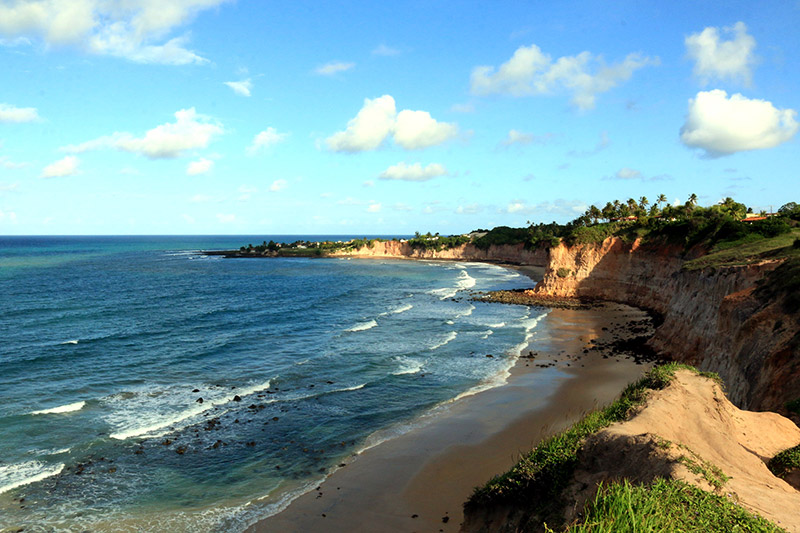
point(516, 254)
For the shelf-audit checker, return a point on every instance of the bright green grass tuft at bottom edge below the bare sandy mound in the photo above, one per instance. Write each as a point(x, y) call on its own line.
point(665, 505)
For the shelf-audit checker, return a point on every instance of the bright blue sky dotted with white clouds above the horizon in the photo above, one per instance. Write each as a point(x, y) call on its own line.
point(255, 117)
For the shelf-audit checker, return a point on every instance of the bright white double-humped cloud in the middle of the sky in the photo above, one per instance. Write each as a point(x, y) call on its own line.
point(379, 119)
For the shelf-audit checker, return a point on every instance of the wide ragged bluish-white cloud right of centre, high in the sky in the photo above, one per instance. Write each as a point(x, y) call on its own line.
point(532, 72)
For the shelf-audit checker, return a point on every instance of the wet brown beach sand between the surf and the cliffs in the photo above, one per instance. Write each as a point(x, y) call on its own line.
point(420, 480)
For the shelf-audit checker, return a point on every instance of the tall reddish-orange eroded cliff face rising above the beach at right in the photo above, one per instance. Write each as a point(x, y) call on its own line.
point(711, 318)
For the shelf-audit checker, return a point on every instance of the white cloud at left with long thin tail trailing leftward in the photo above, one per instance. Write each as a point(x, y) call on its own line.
point(189, 131)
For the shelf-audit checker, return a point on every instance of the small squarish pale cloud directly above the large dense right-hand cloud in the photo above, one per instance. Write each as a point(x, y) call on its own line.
point(723, 60)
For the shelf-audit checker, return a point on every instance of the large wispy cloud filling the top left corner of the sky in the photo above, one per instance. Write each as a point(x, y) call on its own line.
point(137, 30)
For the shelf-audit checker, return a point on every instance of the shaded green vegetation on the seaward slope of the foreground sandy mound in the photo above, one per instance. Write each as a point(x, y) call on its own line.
point(540, 476)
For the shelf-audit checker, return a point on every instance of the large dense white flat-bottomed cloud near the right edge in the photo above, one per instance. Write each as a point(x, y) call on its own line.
point(720, 125)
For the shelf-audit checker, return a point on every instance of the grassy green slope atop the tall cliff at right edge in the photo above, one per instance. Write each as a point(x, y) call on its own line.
point(747, 250)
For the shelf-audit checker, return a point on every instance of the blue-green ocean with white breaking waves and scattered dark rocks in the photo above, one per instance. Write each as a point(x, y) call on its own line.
point(147, 387)
